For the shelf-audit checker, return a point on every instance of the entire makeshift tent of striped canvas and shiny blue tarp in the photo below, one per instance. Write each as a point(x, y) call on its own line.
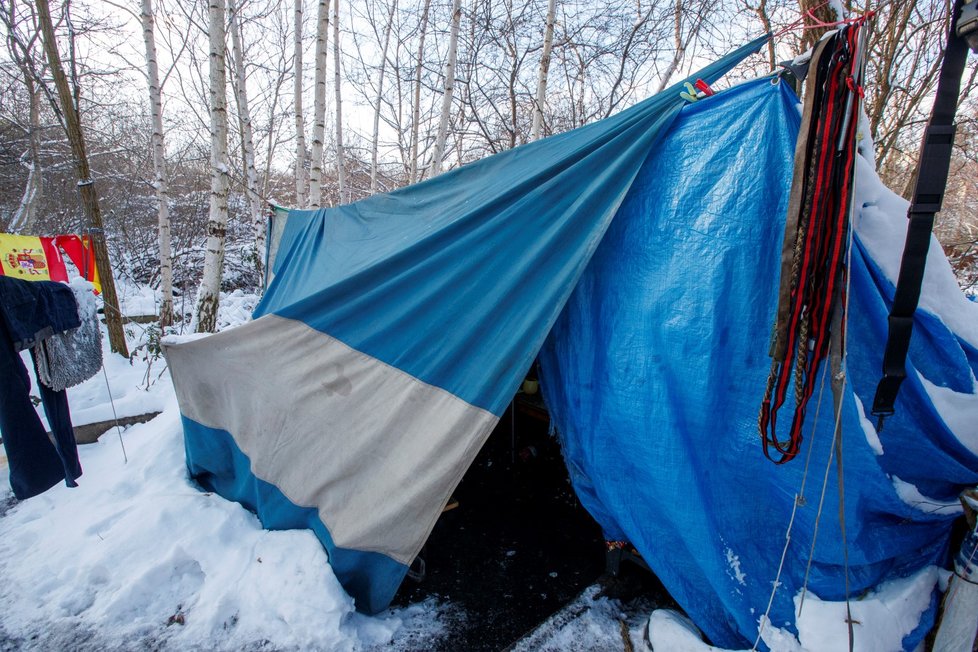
point(397, 329)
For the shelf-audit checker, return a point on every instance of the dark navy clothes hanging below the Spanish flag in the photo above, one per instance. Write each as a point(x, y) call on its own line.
point(29, 313)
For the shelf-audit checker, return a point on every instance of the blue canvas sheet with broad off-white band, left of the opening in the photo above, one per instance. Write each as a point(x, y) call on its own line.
point(393, 336)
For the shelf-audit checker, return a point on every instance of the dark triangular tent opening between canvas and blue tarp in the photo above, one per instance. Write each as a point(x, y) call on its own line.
point(519, 546)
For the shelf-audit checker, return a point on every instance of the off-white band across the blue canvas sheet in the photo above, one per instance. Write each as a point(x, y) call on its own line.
point(376, 451)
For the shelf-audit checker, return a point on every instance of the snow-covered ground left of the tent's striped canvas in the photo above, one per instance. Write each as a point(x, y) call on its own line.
point(137, 557)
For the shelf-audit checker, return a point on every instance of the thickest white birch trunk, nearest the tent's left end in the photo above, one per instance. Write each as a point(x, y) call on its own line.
point(208, 297)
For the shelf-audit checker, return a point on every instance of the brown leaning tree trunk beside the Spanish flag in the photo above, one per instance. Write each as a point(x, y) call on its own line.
point(86, 185)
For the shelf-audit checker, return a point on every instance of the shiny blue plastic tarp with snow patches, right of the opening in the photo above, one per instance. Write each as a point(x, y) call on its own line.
point(655, 371)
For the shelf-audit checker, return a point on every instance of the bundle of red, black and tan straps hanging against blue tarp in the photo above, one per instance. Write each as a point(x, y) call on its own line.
point(816, 234)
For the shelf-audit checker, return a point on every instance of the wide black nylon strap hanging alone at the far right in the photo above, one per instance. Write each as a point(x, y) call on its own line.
point(929, 186)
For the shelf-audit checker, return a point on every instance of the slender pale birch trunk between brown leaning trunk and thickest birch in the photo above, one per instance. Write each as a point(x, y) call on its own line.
point(162, 196)
